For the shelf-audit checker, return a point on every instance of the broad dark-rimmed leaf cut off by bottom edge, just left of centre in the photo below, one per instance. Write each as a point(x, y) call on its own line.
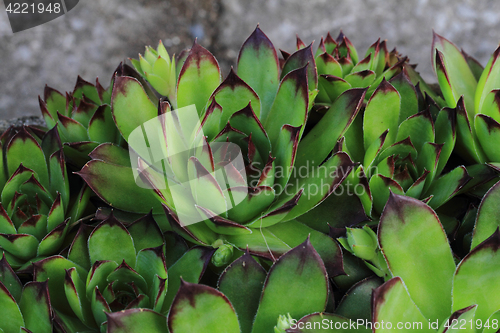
point(199, 308)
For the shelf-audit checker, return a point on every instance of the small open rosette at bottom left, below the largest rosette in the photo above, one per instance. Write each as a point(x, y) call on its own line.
point(112, 268)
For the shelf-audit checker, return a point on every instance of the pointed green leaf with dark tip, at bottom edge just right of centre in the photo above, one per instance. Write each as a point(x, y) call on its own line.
point(299, 269)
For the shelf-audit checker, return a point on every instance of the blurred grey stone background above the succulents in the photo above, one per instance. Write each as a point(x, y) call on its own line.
point(96, 35)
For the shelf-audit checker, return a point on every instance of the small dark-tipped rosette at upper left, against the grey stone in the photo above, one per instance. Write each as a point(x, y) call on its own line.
point(83, 117)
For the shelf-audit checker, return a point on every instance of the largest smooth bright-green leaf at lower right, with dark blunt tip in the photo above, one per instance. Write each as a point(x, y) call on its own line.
point(402, 238)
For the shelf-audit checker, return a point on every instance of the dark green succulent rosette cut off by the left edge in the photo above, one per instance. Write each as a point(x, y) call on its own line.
point(35, 209)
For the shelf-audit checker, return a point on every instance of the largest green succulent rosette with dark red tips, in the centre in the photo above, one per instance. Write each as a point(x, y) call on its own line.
point(258, 113)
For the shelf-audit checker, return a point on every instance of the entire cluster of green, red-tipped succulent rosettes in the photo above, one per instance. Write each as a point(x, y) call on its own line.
point(319, 191)
